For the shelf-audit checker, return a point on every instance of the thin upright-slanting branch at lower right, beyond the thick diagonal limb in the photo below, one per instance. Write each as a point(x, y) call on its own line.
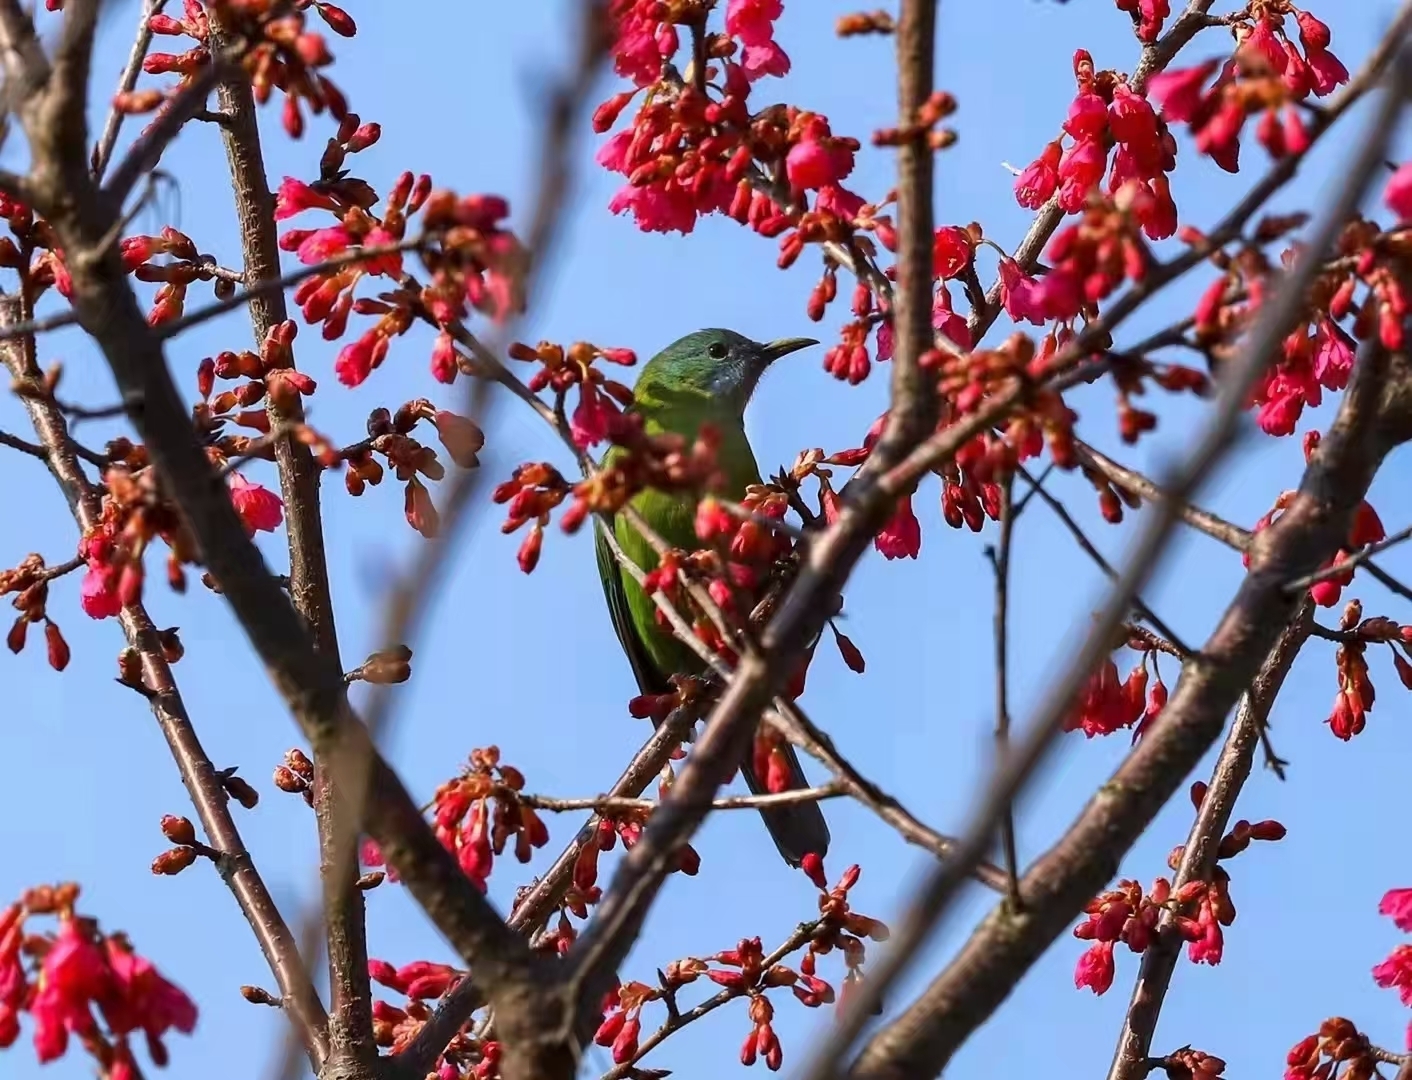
point(1199, 855)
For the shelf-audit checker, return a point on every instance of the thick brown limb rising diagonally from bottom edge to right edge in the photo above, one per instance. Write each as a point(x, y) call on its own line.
point(1376, 417)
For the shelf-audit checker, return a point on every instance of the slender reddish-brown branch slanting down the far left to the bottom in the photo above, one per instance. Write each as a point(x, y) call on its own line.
point(300, 999)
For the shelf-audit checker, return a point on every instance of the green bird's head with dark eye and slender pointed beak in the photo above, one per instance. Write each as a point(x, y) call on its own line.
point(722, 366)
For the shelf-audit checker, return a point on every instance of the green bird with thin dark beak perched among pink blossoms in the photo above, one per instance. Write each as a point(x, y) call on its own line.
point(705, 378)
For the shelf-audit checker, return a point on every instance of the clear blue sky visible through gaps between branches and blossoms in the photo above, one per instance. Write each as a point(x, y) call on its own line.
point(532, 666)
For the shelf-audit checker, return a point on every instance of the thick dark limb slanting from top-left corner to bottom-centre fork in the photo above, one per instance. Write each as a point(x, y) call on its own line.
point(310, 680)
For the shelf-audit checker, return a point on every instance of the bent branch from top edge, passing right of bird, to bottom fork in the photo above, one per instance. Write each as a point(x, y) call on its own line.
point(866, 508)
